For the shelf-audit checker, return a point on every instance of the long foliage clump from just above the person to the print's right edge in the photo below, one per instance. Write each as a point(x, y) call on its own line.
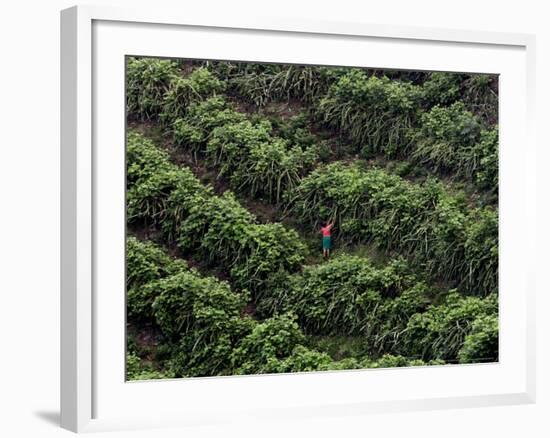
point(434, 229)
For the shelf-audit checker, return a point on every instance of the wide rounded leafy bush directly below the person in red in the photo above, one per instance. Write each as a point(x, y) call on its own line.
point(348, 296)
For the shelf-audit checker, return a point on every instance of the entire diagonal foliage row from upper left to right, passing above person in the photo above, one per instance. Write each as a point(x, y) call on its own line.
point(435, 228)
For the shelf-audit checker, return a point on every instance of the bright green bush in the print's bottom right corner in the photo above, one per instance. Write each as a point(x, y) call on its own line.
point(481, 344)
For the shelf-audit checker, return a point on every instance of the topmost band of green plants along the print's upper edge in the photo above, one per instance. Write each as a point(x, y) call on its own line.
point(447, 123)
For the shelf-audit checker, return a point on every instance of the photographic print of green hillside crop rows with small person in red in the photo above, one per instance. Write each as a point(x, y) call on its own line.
point(295, 218)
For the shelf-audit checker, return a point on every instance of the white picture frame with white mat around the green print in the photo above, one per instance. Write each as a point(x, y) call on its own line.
point(94, 395)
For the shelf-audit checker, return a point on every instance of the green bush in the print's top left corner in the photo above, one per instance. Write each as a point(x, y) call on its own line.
point(147, 80)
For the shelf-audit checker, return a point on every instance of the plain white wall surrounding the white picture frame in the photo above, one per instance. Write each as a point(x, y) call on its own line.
point(29, 216)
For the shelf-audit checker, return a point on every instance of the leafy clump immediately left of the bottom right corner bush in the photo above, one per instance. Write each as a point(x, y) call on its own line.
point(439, 333)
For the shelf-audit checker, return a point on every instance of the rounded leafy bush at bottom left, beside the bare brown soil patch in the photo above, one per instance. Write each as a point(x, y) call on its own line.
point(201, 316)
